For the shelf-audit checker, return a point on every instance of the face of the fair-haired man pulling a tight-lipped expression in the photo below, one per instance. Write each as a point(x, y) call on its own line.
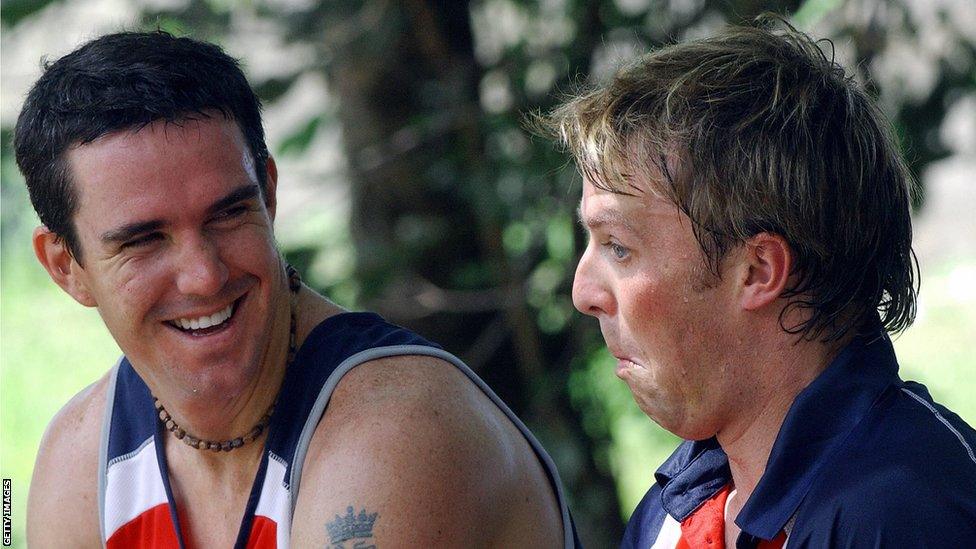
point(663, 317)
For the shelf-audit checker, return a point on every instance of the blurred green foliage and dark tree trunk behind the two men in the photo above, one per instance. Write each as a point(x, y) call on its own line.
point(450, 190)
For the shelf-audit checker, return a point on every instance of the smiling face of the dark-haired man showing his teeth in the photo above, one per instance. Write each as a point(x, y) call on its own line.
point(178, 254)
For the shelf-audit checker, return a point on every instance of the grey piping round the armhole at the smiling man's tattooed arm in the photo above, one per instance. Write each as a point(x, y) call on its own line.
point(318, 409)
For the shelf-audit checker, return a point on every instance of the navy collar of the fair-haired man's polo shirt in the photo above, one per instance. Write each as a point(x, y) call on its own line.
point(815, 427)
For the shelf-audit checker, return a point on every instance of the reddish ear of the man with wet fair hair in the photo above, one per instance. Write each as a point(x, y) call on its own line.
point(768, 262)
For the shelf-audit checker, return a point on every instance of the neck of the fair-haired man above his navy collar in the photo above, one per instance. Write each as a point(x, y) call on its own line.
point(783, 369)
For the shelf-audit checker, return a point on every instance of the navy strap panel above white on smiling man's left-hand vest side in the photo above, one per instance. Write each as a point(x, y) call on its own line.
point(133, 415)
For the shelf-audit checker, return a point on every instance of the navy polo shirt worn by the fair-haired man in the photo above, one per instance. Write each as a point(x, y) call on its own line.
point(863, 459)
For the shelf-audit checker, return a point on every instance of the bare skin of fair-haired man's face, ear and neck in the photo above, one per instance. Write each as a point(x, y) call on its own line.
point(703, 355)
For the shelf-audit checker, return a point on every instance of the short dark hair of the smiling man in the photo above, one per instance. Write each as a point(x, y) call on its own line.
point(124, 81)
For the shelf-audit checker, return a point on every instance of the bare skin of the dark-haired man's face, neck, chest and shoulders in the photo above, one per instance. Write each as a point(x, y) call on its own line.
point(173, 227)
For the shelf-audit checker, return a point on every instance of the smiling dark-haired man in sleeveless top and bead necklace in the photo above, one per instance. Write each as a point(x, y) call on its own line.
point(145, 159)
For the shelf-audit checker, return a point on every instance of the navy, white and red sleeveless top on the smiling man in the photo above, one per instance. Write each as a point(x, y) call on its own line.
point(135, 502)
